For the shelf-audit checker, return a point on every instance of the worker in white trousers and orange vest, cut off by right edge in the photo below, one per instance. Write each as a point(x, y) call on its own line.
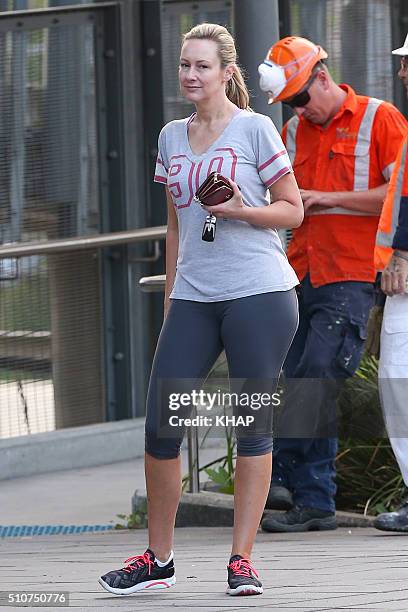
point(391, 256)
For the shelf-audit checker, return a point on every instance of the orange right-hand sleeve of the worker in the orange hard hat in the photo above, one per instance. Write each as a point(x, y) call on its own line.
point(389, 128)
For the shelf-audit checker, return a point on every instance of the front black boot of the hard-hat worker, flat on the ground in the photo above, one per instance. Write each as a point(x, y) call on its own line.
point(300, 519)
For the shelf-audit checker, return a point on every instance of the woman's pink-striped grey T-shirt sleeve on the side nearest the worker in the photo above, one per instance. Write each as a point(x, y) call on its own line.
point(272, 158)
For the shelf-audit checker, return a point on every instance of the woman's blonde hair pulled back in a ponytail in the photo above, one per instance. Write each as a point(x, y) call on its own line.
point(235, 89)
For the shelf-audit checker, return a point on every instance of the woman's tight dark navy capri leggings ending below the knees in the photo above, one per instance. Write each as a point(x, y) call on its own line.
point(256, 333)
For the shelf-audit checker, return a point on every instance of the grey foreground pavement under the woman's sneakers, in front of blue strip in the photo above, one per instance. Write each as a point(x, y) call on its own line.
point(342, 570)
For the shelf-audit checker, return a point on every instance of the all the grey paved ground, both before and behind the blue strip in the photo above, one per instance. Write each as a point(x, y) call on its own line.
point(358, 569)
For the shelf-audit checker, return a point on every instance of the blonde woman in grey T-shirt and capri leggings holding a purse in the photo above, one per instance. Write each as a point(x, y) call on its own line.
point(236, 293)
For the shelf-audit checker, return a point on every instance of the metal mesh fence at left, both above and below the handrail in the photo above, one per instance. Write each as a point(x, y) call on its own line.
point(50, 318)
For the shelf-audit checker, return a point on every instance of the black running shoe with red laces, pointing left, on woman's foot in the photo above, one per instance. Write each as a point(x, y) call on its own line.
point(141, 572)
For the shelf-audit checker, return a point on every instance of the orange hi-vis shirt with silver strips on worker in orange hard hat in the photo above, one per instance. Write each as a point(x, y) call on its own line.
point(355, 152)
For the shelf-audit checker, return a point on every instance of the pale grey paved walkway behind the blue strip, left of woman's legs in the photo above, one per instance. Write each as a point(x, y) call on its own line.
point(75, 497)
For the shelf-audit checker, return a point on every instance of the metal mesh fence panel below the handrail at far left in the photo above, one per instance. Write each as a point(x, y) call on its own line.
point(50, 345)
